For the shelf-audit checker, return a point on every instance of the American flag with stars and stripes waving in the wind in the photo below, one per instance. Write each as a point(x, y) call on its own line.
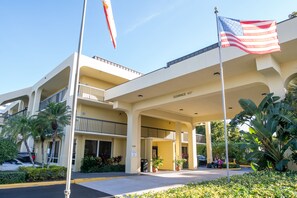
point(254, 37)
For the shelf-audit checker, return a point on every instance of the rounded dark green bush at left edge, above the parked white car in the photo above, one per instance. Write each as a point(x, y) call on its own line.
point(8, 150)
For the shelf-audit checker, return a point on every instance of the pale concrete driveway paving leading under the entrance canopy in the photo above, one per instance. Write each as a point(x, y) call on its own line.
point(163, 180)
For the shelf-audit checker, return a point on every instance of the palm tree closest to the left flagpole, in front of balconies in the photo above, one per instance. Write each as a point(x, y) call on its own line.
point(57, 115)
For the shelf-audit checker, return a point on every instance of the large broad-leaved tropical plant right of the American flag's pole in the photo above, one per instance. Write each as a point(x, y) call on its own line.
point(272, 131)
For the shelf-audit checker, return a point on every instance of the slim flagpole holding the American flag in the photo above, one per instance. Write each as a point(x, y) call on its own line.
point(223, 94)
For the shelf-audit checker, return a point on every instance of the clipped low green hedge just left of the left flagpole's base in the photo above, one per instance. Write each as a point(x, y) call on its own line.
point(44, 174)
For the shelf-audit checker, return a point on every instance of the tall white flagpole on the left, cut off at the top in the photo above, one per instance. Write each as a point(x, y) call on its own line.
point(74, 105)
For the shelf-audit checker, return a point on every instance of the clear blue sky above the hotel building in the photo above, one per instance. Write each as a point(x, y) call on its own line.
point(37, 35)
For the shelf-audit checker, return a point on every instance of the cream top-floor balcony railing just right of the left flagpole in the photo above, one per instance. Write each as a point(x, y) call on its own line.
point(91, 93)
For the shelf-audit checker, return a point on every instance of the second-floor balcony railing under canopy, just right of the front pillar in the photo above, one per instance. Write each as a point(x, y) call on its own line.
point(157, 133)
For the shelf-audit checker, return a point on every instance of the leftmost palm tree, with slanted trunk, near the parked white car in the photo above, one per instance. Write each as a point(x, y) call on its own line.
point(19, 128)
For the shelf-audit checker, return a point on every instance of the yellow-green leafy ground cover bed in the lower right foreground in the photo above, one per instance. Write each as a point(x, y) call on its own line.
point(257, 184)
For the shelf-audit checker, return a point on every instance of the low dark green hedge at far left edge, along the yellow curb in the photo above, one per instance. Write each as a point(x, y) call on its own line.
point(10, 177)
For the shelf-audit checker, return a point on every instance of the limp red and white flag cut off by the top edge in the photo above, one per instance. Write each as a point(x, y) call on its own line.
point(110, 21)
